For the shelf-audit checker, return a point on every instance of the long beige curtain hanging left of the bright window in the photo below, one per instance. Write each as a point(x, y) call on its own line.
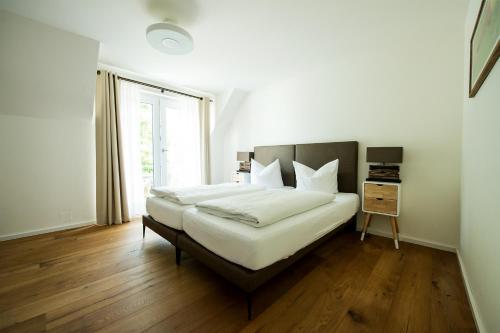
point(111, 205)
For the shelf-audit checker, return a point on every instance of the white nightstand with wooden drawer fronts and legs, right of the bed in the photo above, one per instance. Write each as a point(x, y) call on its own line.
point(384, 199)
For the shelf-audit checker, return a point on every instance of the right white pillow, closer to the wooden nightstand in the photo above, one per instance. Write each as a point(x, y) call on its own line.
point(322, 180)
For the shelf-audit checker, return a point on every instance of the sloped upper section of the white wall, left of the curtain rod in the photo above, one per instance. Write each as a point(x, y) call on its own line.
point(45, 72)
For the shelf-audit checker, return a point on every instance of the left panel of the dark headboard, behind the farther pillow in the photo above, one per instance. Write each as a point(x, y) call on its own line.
point(285, 153)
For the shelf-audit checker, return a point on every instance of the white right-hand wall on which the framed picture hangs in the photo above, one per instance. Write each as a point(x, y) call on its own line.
point(480, 227)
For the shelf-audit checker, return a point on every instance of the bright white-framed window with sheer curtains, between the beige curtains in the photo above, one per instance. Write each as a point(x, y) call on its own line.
point(161, 141)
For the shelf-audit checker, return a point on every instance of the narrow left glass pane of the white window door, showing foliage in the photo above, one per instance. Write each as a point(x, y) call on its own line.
point(146, 145)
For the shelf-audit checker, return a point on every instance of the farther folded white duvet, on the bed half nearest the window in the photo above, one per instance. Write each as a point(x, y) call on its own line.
point(195, 194)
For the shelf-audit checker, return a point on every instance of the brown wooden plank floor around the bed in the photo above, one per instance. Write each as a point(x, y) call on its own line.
point(108, 279)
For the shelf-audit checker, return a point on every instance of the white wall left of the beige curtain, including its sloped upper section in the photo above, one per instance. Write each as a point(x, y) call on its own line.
point(47, 169)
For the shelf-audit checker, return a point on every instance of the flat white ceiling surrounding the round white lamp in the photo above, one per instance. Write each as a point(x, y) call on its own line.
point(242, 44)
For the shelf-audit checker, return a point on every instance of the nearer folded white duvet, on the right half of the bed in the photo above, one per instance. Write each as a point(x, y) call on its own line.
point(262, 208)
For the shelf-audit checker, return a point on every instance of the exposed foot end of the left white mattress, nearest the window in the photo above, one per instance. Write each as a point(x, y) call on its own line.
point(166, 212)
